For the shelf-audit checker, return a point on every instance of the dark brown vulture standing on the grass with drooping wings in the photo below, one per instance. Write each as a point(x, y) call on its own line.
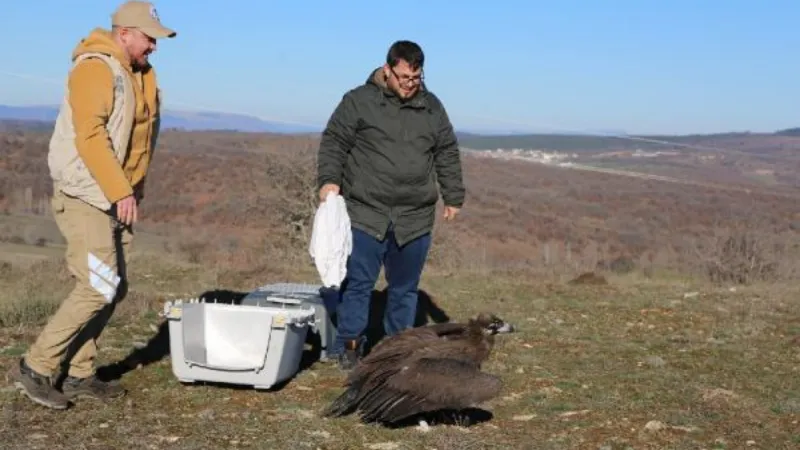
point(425, 370)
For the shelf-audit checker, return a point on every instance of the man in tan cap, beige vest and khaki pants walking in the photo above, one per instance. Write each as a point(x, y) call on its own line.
point(99, 155)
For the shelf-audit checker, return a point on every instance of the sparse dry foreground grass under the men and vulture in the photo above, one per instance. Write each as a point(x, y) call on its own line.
point(635, 363)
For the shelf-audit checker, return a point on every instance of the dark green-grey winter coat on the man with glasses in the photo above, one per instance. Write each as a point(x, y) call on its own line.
point(387, 156)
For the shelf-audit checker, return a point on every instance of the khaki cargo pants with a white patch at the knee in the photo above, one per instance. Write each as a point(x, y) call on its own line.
point(97, 253)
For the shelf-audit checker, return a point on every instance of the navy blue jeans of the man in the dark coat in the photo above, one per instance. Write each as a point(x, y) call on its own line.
point(402, 268)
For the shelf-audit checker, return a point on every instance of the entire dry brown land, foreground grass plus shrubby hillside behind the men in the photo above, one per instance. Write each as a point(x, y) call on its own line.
point(686, 338)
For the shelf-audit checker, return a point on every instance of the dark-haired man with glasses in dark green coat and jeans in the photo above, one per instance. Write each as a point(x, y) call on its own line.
point(386, 146)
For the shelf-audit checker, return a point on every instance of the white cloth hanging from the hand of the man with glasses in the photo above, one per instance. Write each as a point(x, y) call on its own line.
point(331, 240)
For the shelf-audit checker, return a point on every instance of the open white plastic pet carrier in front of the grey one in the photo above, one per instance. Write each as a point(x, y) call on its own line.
point(258, 342)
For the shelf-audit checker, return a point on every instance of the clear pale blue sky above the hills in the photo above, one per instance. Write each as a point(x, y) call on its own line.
point(646, 66)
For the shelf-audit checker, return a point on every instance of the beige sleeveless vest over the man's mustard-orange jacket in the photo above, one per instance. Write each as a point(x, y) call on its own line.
point(67, 169)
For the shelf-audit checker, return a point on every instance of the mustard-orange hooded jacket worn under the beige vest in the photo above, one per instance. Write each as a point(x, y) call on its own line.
point(91, 90)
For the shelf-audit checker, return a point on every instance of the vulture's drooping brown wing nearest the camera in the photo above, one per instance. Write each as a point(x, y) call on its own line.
point(428, 384)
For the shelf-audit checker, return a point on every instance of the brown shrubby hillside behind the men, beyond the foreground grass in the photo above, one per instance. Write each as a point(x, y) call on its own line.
point(226, 197)
